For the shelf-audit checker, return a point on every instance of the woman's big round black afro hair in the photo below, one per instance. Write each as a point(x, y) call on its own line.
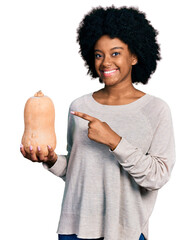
point(130, 26)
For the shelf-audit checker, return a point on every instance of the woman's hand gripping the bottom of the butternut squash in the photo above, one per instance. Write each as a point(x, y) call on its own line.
point(39, 157)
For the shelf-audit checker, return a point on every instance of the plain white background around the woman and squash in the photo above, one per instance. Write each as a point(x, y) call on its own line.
point(38, 50)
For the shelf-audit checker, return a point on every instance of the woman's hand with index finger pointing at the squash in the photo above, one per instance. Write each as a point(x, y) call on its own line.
point(100, 131)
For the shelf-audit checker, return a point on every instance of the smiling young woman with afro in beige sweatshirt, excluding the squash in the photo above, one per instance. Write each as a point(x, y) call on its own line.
point(120, 140)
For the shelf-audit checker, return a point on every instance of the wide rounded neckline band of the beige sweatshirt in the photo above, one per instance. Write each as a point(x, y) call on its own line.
point(135, 104)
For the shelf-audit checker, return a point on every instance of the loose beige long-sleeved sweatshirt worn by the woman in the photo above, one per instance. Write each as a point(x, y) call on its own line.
point(111, 194)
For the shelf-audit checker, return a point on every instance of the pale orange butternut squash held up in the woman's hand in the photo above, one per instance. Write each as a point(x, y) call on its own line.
point(39, 120)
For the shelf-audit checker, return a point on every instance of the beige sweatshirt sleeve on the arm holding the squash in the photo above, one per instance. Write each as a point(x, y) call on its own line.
point(60, 167)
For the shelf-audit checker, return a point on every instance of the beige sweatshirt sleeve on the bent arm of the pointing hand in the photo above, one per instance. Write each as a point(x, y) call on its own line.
point(152, 169)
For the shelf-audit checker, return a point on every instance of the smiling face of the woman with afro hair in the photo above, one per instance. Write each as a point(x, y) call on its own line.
point(113, 60)
